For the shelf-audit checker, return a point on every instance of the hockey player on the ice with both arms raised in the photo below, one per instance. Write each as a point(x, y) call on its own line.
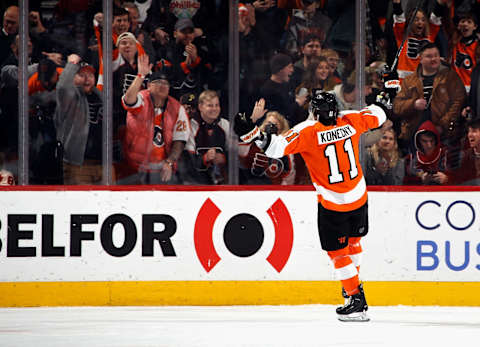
point(329, 144)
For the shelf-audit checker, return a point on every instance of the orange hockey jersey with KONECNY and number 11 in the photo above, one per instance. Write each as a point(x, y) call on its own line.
point(331, 154)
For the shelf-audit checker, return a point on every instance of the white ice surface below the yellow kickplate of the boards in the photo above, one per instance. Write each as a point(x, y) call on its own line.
point(309, 325)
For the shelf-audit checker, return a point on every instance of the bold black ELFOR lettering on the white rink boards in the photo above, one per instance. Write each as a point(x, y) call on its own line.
point(82, 231)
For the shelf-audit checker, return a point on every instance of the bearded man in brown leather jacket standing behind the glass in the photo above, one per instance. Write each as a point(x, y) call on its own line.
point(434, 92)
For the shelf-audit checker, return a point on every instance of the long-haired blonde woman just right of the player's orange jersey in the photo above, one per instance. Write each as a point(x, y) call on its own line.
point(383, 165)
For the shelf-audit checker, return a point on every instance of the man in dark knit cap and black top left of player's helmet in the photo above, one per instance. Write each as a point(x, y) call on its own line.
point(278, 93)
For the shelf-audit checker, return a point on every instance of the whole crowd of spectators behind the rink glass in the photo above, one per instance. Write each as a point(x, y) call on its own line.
point(170, 88)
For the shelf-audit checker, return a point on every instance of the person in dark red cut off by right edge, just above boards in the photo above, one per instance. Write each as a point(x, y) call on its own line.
point(469, 171)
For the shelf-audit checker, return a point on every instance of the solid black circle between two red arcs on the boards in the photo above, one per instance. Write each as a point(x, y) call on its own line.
point(243, 235)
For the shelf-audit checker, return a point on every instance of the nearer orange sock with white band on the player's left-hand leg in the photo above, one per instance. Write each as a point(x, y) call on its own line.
point(345, 270)
